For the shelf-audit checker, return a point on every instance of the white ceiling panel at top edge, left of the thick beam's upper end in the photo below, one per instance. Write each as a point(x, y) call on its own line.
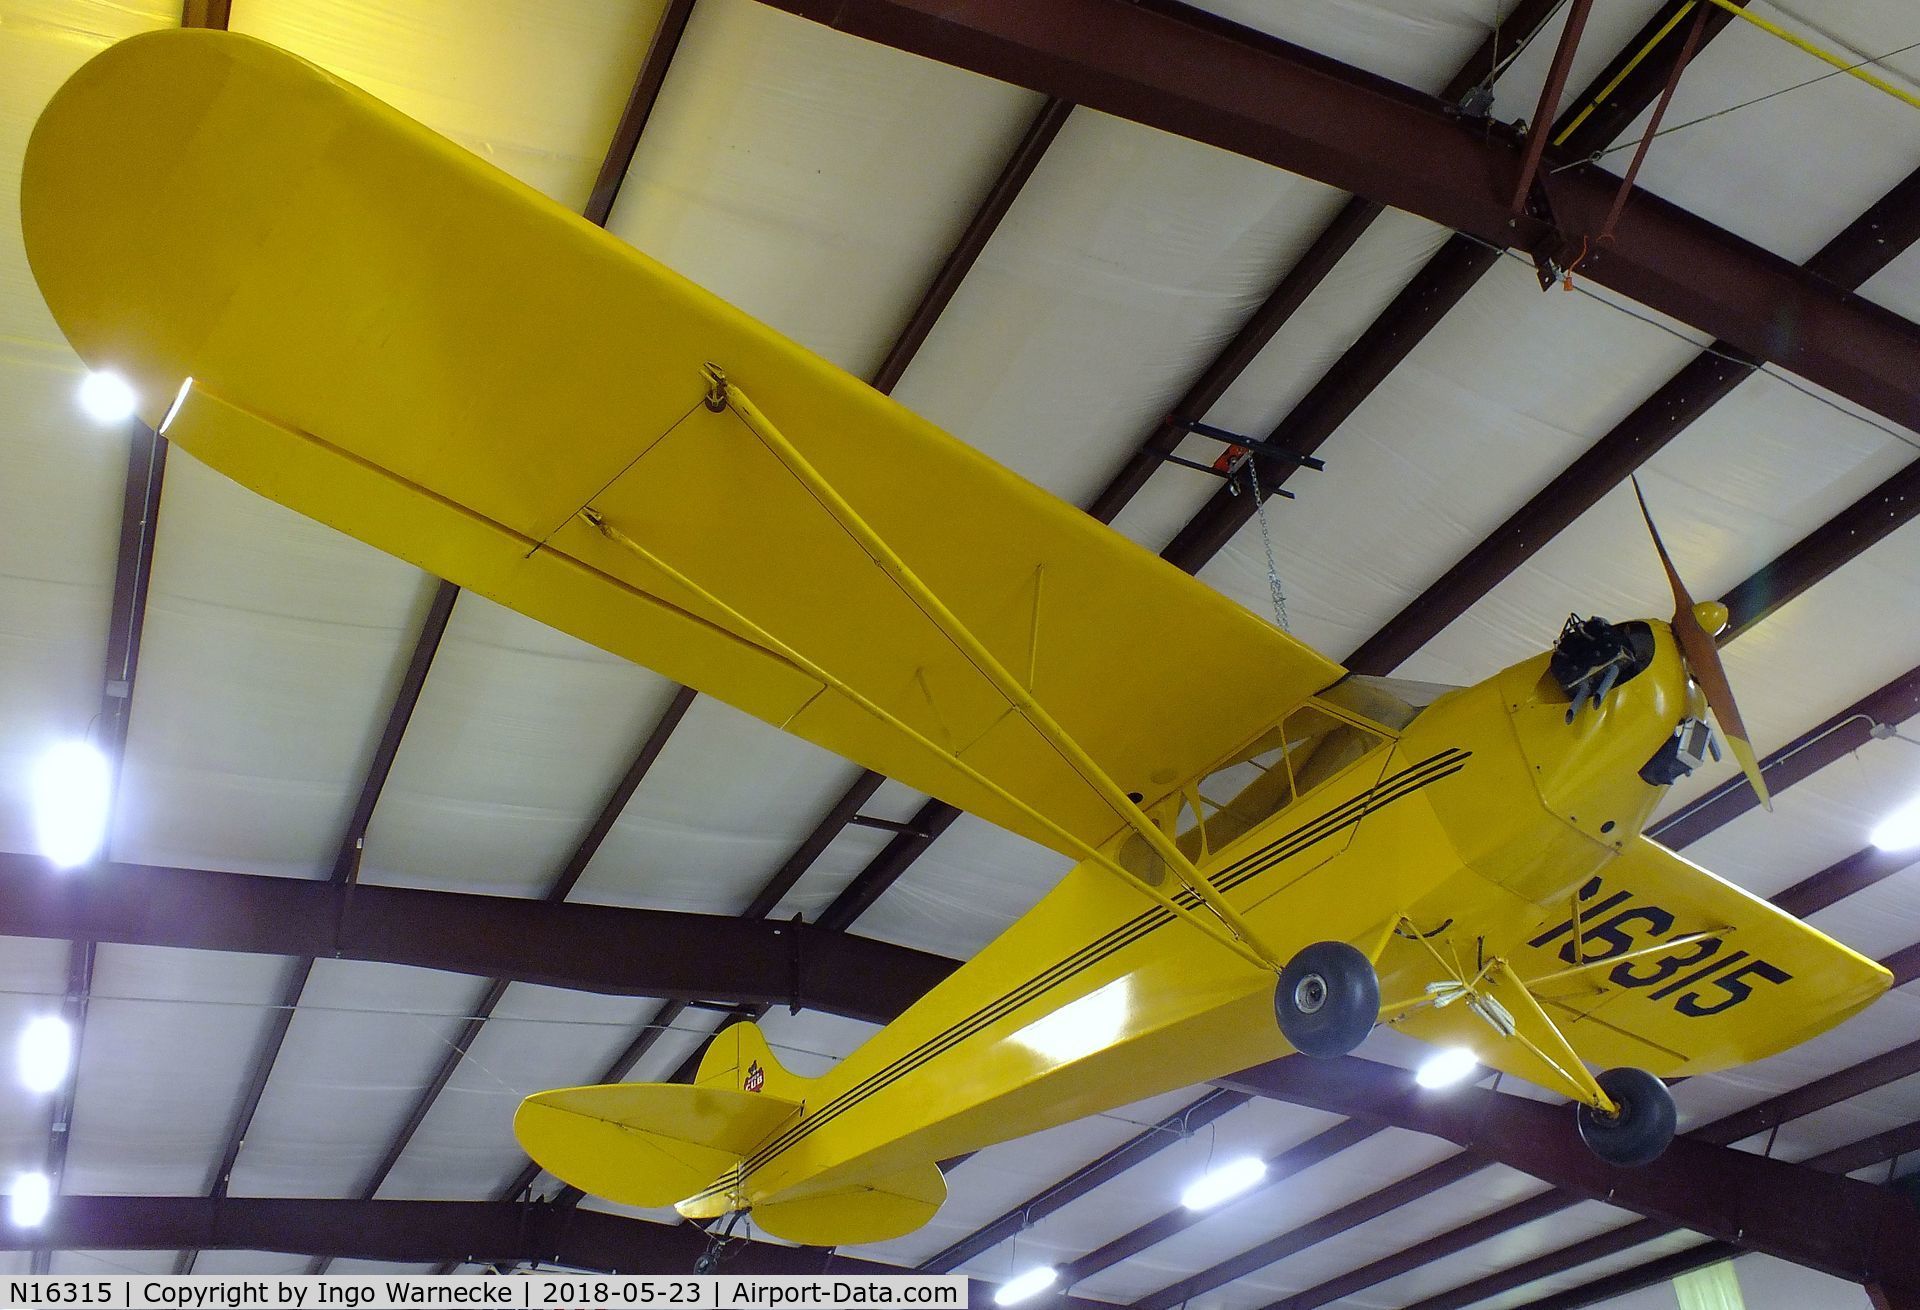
point(813, 180)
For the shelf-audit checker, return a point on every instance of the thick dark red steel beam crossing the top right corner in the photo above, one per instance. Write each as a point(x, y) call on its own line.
point(1308, 114)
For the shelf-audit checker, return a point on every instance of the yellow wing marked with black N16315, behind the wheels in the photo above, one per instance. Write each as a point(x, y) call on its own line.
point(1739, 982)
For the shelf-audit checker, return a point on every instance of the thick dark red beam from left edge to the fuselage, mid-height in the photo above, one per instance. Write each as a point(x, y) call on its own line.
point(590, 948)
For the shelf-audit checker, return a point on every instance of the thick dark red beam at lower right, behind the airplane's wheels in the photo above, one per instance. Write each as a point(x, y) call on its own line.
point(1796, 1213)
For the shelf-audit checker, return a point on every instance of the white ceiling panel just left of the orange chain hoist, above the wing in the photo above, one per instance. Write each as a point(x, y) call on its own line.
point(1126, 264)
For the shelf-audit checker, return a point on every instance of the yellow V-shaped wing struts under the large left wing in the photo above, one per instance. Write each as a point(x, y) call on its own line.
point(1237, 936)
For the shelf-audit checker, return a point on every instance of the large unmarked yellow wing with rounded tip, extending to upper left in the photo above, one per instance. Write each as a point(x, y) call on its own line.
point(396, 339)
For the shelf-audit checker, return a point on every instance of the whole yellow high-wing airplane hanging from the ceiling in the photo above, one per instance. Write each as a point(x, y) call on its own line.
point(389, 335)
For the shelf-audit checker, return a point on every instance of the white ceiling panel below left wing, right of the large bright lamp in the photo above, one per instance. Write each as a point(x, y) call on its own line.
point(270, 662)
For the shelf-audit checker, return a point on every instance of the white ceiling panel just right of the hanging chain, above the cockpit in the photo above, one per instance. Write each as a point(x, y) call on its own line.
point(1460, 435)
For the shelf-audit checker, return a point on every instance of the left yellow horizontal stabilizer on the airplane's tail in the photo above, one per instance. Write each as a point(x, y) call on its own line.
point(646, 1144)
